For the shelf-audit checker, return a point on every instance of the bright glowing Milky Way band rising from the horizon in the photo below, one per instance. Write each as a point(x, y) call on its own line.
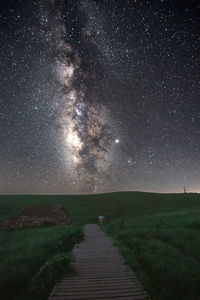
point(85, 125)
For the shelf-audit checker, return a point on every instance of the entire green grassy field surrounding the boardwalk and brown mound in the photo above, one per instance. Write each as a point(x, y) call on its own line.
point(158, 234)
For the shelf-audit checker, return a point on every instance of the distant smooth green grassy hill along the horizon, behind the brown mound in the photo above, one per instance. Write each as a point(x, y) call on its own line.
point(86, 208)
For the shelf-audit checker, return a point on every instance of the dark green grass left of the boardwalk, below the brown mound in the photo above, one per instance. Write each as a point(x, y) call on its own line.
point(34, 259)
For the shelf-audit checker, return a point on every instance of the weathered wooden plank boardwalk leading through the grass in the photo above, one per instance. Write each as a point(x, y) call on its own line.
point(102, 274)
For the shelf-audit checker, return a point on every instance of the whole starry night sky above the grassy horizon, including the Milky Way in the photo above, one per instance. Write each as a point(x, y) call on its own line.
point(99, 96)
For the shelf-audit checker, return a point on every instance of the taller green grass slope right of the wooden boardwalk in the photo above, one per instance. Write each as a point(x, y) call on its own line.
point(163, 250)
